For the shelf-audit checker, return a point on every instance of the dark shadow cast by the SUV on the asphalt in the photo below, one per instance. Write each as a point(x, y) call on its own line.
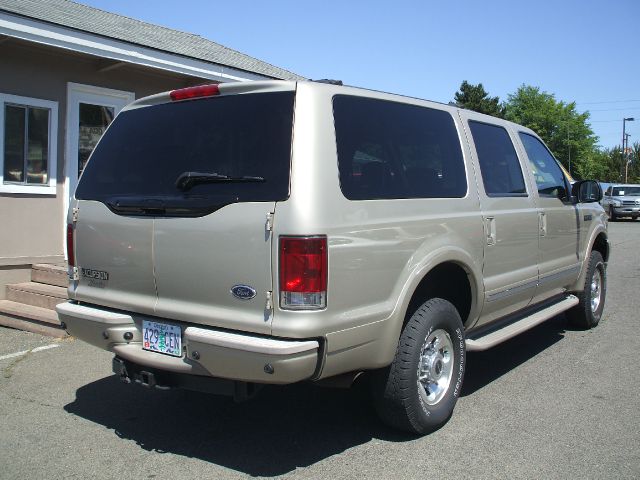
point(282, 428)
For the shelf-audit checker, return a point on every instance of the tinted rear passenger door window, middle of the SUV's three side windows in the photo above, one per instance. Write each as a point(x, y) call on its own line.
point(499, 164)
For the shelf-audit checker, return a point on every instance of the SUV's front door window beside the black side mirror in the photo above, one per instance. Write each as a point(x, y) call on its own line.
point(549, 177)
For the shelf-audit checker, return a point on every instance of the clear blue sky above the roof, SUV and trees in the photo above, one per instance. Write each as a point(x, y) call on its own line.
point(585, 51)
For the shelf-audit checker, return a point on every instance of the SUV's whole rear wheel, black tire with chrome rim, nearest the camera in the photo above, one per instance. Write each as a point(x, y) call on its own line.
point(401, 400)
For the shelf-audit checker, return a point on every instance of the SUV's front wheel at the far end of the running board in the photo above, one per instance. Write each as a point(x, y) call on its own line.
point(587, 314)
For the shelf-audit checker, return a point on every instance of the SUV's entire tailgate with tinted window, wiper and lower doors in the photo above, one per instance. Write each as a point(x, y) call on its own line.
point(174, 203)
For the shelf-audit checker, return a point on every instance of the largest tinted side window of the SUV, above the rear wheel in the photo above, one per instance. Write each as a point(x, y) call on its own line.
point(394, 150)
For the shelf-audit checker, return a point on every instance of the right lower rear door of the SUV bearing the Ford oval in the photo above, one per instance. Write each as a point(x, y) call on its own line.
point(199, 261)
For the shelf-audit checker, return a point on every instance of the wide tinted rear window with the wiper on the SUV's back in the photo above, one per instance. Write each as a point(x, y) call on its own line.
point(245, 138)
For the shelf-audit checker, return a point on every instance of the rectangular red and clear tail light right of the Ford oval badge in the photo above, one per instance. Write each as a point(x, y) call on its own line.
point(303, 273)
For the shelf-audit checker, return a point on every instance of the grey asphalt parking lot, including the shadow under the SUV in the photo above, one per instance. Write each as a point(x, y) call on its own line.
point(552, 403)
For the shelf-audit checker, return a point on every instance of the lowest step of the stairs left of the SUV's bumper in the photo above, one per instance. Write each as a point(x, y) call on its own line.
point(30, 318)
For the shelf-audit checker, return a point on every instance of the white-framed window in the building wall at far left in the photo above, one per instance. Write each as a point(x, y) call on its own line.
point(28, 145)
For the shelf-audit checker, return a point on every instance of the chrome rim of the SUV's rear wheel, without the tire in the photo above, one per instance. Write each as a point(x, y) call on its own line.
point(435, 367)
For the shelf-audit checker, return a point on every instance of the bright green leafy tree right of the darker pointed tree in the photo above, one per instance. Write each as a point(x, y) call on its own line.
point(565, 131)
